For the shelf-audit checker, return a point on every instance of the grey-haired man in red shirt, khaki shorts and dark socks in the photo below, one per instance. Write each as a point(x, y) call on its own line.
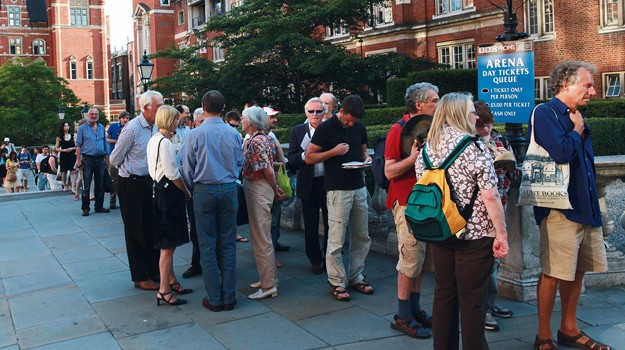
point(421, 99)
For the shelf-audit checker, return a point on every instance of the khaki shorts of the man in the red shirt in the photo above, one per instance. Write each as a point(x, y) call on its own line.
point(411, 251)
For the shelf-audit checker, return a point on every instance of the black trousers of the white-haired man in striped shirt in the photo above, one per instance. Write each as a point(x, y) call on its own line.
point(135, 204)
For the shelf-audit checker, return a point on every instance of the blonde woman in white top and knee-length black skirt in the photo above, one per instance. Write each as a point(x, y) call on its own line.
point(170, 194)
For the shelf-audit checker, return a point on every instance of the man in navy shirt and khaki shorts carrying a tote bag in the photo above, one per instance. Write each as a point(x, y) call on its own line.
point(571, 241)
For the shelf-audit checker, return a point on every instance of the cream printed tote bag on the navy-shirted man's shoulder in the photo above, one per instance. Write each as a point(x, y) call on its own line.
point(544, 183)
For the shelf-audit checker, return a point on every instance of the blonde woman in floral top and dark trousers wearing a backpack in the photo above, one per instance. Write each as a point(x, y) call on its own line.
point(462, 266)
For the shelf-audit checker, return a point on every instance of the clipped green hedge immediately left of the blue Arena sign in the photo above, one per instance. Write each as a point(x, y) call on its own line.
point(450, 80)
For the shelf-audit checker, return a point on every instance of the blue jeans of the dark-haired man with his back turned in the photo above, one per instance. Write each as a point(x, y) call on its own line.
point(215, 208)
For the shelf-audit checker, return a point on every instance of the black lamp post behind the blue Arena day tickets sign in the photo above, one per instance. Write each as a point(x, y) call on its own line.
point(514, 131)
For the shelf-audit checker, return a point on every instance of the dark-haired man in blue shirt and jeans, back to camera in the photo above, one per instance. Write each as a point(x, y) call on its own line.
point(211, 162)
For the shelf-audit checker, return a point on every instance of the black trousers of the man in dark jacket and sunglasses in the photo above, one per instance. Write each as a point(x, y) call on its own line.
point(310, 211)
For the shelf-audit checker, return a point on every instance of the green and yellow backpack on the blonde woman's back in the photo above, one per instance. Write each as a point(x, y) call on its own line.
point(431, 213)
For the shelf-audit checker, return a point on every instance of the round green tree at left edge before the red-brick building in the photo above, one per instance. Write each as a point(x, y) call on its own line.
point(31, 95)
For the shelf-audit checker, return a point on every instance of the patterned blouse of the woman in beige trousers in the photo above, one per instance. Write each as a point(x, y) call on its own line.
point(257, 156)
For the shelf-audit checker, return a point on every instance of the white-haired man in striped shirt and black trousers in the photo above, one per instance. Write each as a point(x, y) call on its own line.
point(135, 192)
